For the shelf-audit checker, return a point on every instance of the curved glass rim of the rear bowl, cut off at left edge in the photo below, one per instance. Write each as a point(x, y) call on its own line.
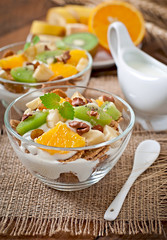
point(90, 62)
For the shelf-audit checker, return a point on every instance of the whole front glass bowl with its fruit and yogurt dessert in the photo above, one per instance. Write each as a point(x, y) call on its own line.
point(66, 139)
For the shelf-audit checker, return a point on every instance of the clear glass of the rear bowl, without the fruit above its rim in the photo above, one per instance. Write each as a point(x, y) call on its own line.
point(10, 90)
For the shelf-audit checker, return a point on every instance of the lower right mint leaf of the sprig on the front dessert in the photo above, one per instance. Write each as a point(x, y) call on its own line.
point(66, 110)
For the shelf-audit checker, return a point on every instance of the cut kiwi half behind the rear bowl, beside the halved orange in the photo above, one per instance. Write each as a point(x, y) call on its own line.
point(86, 41)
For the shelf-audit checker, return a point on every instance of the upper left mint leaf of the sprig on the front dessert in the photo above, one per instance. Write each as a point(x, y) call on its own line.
point(51, 100)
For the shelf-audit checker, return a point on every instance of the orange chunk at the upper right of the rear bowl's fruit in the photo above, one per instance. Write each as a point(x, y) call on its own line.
point(76, 55)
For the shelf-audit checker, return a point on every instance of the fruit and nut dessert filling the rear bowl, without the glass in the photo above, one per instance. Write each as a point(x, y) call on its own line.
point(40, 62)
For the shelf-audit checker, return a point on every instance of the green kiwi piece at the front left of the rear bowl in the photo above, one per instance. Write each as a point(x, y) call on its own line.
point(23, 74)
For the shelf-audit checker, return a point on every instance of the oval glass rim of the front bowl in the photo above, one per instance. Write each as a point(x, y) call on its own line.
point(124, 133)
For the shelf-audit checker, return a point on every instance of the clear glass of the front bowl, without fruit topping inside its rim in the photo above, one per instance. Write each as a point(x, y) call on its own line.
point(80, 167)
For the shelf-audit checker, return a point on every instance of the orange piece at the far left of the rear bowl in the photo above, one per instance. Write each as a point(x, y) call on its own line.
point(12, 61)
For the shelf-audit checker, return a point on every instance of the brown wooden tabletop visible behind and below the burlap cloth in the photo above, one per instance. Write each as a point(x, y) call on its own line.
point(15, 25)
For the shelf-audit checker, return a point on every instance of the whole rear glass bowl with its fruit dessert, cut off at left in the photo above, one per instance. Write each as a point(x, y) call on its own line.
point(28, 66)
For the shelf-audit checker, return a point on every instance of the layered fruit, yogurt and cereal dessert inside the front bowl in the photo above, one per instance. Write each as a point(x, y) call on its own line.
point(67, 123)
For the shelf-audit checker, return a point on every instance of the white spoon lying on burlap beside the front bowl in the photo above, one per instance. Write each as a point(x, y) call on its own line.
point(146, 153)
